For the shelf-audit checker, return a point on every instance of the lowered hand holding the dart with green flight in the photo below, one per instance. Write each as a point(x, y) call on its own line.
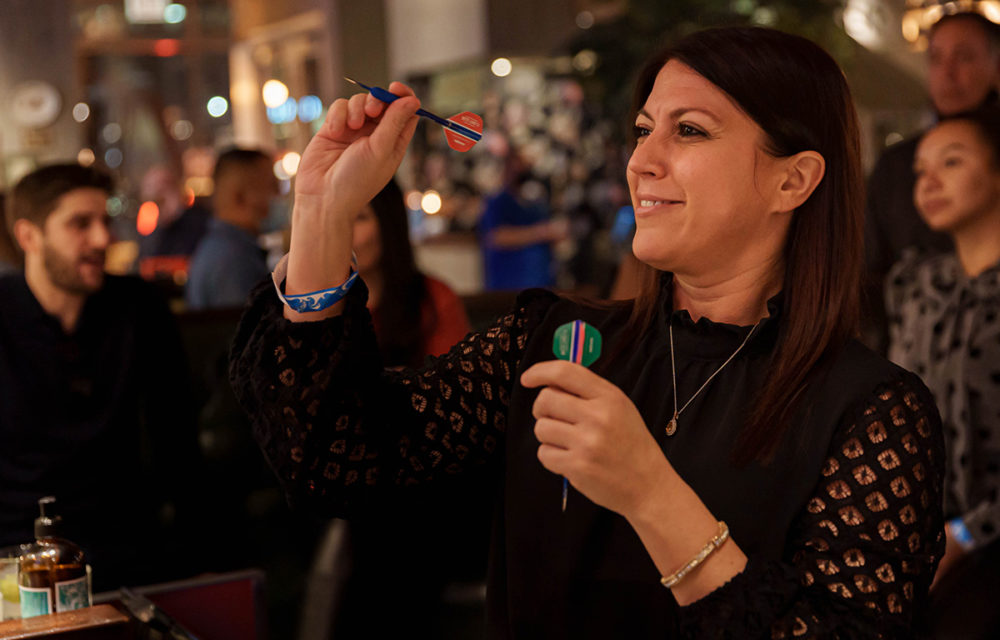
point(592, 433)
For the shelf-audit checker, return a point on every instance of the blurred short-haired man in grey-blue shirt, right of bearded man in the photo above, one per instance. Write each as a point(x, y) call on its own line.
point(228, 261)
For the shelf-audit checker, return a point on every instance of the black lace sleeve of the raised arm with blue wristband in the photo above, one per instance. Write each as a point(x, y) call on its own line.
point(340, 432)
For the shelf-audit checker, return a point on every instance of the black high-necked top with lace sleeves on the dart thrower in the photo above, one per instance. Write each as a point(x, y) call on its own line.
point(843, 531)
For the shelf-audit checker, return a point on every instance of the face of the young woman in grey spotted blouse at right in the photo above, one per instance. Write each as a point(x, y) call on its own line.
point(958, 181)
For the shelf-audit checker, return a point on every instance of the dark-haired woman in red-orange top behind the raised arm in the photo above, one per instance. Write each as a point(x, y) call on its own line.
point(415, 315)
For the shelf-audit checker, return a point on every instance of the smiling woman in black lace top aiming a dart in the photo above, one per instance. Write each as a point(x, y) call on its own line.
point(799, 490)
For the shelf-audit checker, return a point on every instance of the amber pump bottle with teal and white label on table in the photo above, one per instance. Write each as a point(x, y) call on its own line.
point(53, 573)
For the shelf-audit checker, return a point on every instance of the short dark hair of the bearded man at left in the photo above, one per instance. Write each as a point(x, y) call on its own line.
point(35, 196)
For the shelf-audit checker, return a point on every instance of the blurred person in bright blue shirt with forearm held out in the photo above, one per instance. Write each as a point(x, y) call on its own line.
point(517, 234)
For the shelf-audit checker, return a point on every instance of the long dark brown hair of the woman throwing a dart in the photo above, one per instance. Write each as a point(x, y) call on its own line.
point(798, 95)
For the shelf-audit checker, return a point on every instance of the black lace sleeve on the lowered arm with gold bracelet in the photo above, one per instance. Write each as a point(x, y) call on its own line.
point(861, 556)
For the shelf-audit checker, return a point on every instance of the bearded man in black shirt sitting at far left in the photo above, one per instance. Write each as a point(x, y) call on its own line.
point(96, 406)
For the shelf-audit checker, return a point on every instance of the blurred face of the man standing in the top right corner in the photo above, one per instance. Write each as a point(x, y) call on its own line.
point(963, 67)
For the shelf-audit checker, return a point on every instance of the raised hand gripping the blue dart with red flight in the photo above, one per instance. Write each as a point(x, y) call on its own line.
point(357, 150)
